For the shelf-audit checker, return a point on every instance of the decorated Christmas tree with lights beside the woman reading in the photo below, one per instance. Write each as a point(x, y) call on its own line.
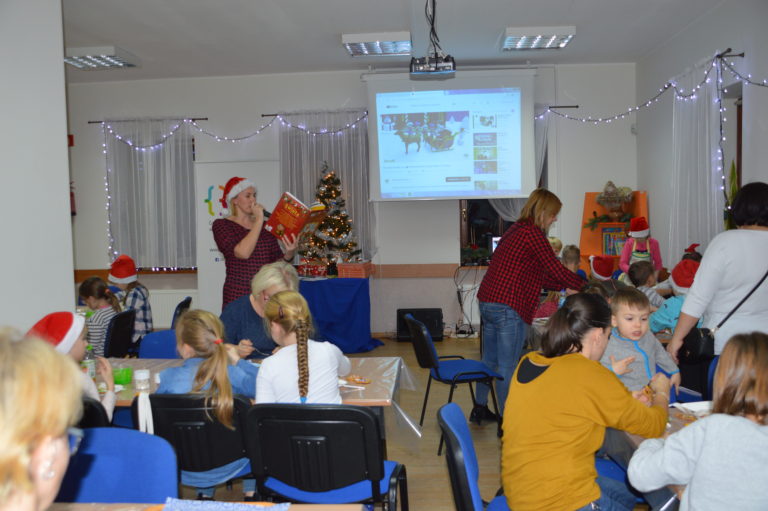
point(333, 241)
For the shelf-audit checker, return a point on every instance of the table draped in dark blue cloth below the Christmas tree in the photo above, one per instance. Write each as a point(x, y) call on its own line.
point(341, 311)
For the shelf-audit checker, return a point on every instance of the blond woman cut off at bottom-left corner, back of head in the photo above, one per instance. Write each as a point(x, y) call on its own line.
point(41, 400)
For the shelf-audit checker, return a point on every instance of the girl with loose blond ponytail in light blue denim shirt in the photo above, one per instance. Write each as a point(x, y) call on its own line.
point(212, 368)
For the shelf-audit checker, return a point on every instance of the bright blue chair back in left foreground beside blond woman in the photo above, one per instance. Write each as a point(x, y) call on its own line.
point(116, 465)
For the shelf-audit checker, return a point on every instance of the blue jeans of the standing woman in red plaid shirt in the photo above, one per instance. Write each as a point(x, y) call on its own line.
point(504, 335)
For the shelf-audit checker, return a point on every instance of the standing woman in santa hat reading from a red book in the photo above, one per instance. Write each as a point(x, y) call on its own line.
point(242, 240)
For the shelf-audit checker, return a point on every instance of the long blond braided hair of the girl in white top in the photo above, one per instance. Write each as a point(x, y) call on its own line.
point(290, 310)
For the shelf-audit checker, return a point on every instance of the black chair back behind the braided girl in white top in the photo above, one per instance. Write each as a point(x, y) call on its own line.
point(315, 448)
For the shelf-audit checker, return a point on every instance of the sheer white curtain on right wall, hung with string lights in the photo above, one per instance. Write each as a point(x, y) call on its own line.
point(697, 200)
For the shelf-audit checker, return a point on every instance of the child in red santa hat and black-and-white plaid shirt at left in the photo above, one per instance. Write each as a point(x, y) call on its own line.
point(132, 295)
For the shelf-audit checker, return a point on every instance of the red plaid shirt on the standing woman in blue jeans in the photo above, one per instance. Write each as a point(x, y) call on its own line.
point(522, 264)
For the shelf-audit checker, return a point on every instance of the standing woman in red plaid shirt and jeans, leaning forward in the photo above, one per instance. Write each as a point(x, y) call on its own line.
point(522, 264)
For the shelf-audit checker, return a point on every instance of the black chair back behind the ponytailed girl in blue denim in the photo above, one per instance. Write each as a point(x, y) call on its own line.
point(201, 442)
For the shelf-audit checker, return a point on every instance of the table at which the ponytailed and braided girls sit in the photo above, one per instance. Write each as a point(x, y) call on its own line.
point(385, 373)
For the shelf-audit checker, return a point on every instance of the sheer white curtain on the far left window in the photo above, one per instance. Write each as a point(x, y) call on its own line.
point(151, 192)
